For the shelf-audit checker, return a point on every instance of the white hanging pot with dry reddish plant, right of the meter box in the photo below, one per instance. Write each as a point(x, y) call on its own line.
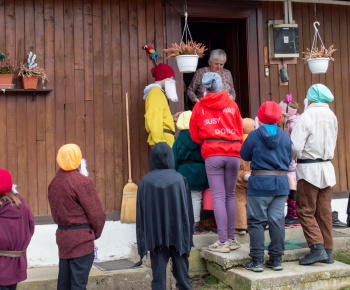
point(318, 59)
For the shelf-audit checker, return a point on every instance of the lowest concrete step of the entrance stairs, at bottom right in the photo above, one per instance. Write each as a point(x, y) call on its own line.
point(293, 276)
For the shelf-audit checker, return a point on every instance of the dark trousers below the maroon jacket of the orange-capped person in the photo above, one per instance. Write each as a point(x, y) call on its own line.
point(73, 273)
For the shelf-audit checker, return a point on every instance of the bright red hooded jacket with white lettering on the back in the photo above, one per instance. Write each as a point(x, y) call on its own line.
point(216, 116)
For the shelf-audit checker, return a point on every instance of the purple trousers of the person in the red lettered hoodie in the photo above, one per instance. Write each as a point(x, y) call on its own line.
point(222, 172)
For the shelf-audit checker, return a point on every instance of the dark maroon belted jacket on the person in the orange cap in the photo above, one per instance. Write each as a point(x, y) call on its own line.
point(74, 201)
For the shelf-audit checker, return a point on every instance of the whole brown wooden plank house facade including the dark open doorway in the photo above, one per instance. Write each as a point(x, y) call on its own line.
point(92, 51)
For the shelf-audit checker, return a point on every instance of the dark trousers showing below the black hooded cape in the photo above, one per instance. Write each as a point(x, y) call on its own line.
point(159, 260)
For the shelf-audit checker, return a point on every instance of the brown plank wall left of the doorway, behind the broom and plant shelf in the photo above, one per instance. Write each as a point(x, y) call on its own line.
point(93, 53)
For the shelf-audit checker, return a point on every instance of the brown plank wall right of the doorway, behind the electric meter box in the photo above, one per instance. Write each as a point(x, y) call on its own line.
point(334, 29)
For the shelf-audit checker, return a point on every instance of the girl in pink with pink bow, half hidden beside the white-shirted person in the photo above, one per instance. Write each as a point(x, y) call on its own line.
point(289, 119)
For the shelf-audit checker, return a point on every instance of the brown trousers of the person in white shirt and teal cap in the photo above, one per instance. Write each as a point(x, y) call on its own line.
point(315, 213)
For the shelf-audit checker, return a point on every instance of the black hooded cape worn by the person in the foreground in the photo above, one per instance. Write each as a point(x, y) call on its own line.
point(164, 206)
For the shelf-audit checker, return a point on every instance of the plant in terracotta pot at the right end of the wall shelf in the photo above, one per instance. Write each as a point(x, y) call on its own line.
point(30, 72)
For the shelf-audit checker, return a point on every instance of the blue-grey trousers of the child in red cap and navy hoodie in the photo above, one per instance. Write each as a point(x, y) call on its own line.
point(260, 210)
